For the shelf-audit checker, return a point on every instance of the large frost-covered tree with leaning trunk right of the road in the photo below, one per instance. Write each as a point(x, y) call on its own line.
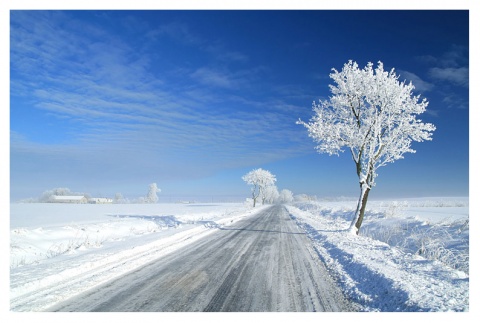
point(373, 115)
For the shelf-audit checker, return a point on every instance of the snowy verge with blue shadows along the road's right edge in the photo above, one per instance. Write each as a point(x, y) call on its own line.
point(376, 275)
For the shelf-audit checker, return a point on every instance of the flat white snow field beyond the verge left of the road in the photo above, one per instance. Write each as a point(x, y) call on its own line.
point(45, 230)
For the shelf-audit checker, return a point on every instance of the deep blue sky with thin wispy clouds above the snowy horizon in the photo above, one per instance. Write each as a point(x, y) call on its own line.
point(111, 101)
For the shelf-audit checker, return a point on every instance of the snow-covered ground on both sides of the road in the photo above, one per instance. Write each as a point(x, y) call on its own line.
point(413, 255)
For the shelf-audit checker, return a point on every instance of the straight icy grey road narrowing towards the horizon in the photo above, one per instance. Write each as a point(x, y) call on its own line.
point(261, 264)
